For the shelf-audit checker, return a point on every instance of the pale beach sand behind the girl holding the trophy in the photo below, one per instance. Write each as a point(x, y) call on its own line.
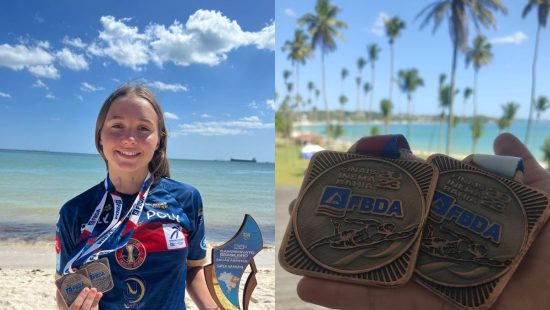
point(27, 274)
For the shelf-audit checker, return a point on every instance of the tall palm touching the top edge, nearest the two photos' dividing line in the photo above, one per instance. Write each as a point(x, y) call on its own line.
point(323, 28)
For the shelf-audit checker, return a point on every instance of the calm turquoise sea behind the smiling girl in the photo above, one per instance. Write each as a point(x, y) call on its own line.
point(34, 185)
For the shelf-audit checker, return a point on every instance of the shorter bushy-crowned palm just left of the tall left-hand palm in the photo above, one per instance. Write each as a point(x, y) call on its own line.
point(298, 51)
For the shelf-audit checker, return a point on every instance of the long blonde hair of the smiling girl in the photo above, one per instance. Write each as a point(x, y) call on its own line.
point(158, 166)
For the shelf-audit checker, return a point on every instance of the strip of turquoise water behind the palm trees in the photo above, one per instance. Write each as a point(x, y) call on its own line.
point(427, 137)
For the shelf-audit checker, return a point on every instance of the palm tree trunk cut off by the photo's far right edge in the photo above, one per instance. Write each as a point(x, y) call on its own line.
point(543, 7)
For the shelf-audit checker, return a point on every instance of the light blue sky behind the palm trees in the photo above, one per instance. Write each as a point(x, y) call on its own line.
point(507, 78)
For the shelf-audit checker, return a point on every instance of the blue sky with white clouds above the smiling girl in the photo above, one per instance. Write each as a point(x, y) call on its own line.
point(210, 63)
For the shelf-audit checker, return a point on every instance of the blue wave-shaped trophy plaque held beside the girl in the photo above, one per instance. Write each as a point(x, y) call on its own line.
point(229, 262)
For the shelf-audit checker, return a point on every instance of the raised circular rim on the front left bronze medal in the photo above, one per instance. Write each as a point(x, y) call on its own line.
point(422, 217)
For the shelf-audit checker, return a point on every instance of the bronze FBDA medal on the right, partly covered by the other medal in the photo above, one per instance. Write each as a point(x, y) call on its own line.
point(479, 228)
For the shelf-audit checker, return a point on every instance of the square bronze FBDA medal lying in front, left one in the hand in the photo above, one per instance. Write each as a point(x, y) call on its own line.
point(358, 219)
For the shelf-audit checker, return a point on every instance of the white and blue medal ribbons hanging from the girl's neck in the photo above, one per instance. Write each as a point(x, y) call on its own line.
point(116, 233)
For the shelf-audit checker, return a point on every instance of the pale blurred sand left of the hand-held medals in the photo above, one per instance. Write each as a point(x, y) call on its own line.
point(285, 287)
